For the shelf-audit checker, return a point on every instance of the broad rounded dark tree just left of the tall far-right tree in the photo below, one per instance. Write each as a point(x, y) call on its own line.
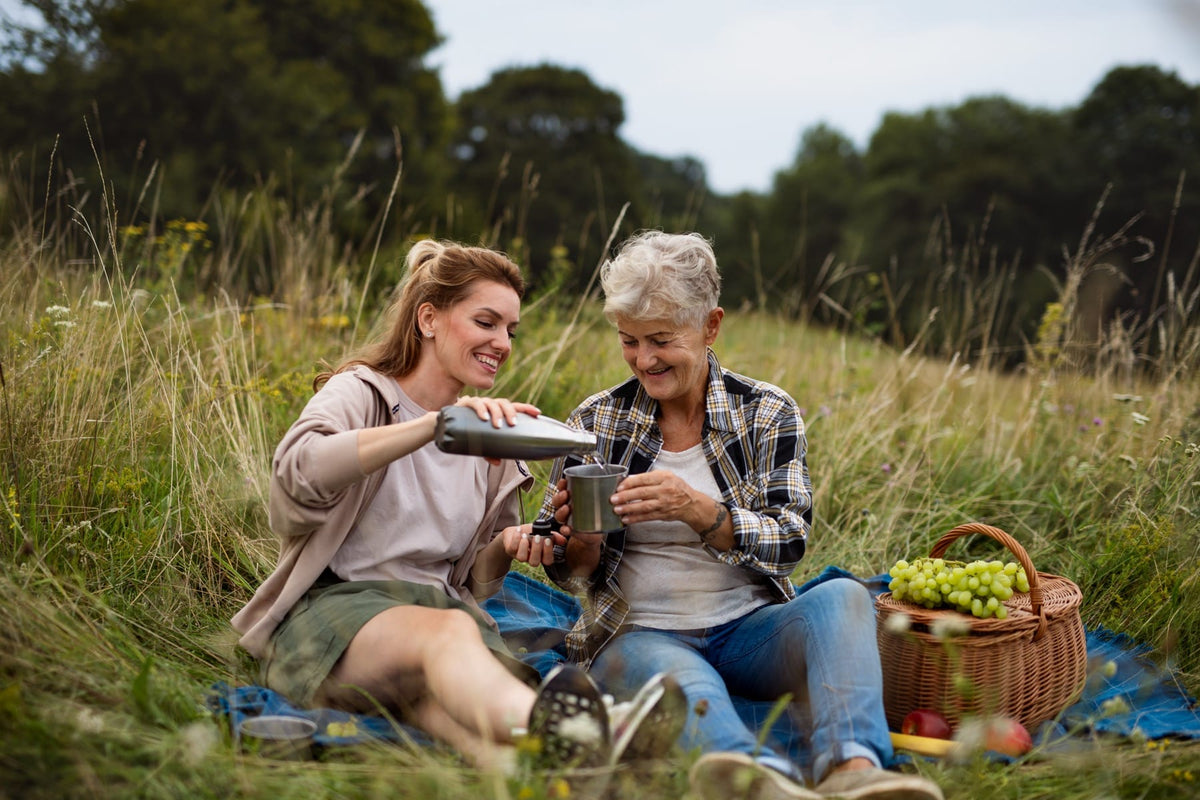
point(956, 196)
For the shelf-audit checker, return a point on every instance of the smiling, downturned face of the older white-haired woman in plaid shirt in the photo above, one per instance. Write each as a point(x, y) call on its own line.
point(669, 359)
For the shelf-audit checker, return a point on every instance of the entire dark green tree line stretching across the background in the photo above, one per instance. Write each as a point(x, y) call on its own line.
point(956, 227)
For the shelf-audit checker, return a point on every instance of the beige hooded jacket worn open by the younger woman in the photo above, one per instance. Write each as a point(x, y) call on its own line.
point(319, 491)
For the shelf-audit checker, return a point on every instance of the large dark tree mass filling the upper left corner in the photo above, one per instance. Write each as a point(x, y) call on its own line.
point(230, 93)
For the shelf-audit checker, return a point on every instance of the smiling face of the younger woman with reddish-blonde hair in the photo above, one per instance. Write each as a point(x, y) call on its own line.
point(473, 338)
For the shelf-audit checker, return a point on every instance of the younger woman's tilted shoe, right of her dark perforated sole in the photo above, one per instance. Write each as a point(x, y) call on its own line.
point(650, 726)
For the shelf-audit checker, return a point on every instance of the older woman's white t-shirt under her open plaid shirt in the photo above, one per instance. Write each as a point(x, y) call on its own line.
point(669, 578)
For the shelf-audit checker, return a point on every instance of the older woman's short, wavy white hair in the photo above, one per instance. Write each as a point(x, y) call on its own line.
point(657, 275)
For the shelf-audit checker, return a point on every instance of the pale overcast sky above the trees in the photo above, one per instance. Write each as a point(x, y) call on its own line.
point(736, 83)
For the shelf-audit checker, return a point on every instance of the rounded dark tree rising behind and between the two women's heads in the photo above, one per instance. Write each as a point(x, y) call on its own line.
point(539, 163)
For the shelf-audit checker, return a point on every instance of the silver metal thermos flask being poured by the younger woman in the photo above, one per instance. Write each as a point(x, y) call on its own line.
point(461, 431)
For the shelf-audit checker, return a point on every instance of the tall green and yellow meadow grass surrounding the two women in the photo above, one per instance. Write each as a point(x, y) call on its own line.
point(141, 402)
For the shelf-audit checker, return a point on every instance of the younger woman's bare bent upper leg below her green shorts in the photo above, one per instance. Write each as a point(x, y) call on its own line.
point(411, 658)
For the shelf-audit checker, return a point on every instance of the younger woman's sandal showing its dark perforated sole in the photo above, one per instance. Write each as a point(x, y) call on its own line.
point(571, 721)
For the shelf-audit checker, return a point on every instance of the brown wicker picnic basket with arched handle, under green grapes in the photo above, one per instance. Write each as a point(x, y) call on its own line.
point(1029, 666)
